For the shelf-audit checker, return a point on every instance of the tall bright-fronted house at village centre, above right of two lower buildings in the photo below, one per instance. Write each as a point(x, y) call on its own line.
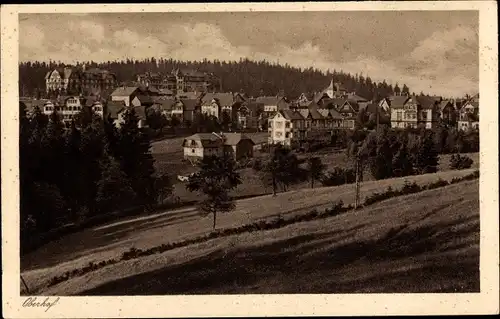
point(286, 127)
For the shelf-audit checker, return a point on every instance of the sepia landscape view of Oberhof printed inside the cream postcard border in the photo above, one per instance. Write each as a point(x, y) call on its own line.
point(249, 152)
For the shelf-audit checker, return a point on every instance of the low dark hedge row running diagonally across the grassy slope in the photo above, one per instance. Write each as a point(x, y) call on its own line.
point(278, 222)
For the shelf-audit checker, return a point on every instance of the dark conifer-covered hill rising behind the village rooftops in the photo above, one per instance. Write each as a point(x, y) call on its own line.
point(253, 77)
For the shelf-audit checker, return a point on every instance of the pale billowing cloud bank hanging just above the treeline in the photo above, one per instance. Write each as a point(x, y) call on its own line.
point(446, 62)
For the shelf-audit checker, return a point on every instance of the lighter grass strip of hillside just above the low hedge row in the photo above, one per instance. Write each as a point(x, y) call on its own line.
point(109, 241)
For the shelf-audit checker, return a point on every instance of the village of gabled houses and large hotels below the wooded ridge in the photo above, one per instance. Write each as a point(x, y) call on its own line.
point(183, 95)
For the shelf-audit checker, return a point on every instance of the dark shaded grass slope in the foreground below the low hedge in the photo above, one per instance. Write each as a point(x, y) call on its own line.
point(425, 242)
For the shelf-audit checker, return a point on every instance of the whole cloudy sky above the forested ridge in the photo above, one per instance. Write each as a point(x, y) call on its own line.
point(436, 52)
